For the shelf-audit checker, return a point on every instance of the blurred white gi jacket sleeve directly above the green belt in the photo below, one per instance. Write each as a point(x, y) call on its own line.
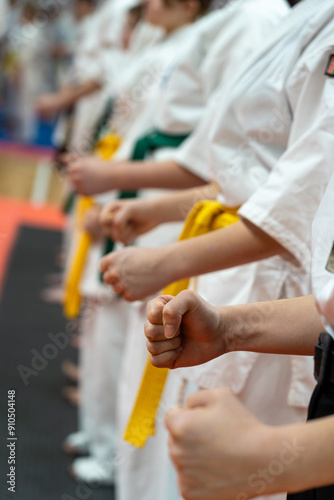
point(225, 40)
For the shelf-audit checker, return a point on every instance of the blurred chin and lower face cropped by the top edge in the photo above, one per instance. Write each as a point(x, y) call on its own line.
point(169, 16)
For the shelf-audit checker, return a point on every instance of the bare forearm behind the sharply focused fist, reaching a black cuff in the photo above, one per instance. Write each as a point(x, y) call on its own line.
point(290, 326)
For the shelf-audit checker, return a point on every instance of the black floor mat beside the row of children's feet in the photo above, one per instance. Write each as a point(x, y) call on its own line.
point(43, 418)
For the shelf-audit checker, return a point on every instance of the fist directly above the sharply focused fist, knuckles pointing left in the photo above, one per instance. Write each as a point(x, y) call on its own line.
point(135, 273)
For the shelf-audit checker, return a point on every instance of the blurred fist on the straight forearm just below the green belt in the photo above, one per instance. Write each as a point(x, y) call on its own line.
point(89, 175)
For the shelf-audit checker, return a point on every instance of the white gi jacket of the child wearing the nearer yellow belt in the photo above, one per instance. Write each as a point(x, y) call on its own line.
point(276, 119)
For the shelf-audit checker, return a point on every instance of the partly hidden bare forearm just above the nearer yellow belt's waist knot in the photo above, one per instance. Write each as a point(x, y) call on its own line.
point(176, 206)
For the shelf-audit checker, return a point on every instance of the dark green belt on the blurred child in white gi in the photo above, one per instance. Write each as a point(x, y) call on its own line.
point(147, 143)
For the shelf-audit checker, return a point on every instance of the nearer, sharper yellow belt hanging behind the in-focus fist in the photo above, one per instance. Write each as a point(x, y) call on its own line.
point(205, 216)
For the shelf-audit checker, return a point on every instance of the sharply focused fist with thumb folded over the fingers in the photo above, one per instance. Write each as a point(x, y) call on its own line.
point(183, 331)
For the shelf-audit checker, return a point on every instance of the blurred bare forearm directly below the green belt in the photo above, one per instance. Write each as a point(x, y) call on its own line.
point(134, 175)
